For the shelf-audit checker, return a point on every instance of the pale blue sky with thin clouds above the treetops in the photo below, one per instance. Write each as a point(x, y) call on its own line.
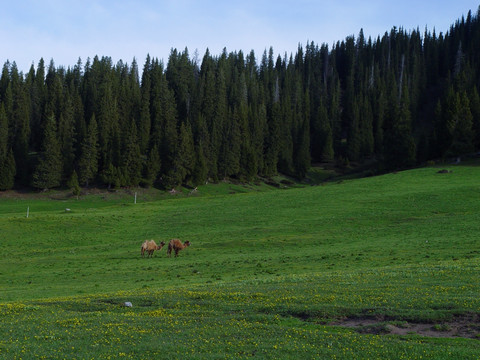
point(66, 30)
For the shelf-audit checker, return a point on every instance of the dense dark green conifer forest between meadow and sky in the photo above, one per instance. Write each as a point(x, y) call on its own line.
point(399, 100)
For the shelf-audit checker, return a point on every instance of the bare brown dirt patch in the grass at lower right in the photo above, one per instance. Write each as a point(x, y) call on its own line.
point(465, 326)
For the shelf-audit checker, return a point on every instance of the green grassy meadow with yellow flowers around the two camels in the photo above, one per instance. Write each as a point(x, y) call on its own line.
point(347, 270)
